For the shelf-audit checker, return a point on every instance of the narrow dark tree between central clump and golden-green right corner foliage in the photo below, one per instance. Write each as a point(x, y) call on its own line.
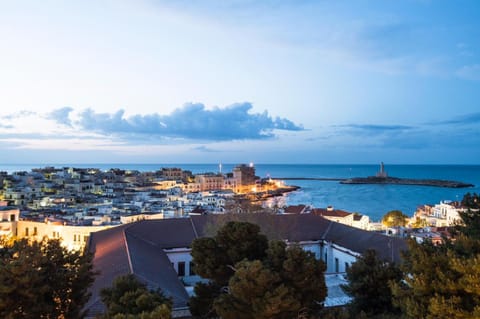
point(369, 280)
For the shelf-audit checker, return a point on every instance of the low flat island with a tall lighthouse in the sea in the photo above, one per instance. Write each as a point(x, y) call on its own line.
point(382, 178)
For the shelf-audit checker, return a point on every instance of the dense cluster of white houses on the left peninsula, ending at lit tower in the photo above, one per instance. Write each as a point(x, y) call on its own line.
point(70, 203)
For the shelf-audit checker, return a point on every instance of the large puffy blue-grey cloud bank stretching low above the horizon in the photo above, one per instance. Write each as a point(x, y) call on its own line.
point(192, 121)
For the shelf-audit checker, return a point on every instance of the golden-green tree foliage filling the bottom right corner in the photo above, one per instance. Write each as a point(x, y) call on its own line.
point(440, 281)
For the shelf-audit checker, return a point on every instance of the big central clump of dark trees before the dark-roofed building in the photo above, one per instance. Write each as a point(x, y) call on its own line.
point(262, 282)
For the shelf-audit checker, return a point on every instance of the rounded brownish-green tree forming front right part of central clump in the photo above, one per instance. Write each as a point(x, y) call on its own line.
point(289, 282)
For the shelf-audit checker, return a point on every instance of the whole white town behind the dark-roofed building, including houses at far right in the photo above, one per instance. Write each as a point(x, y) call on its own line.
point(71, 203)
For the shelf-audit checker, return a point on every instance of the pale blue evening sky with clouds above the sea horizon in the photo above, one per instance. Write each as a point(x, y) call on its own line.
point(239, 81)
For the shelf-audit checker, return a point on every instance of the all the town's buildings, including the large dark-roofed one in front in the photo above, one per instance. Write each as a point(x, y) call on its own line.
point(75, 205)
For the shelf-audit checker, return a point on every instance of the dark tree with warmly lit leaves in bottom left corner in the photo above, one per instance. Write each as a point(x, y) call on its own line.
point(42, 279)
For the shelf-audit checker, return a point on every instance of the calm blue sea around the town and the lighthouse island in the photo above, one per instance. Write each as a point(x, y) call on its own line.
point(371, 200)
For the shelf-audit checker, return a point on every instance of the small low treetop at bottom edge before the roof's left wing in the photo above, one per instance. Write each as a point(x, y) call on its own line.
point(130, 298)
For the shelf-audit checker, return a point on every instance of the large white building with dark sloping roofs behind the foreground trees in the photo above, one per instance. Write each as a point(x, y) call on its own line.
point(158, 251)
